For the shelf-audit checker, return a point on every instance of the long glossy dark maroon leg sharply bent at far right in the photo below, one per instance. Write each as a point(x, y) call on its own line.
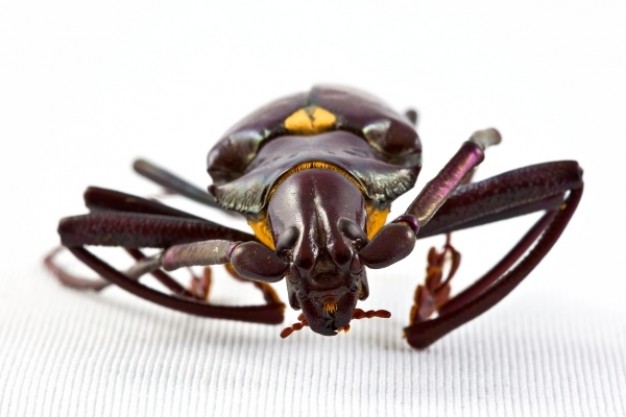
point(556, 188)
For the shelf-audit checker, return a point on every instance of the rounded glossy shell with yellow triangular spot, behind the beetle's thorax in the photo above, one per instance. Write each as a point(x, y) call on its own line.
point(344, 128)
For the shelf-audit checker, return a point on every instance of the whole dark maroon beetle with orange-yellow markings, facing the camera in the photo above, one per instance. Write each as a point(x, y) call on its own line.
point(314, 174)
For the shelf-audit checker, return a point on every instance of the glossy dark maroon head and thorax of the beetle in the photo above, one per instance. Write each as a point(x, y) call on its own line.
point(325, 277)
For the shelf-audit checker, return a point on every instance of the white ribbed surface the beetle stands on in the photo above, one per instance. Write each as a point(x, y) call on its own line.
point(77, 355)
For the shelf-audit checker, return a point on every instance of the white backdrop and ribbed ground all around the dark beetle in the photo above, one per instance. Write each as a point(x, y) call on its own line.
point(85, 88)
